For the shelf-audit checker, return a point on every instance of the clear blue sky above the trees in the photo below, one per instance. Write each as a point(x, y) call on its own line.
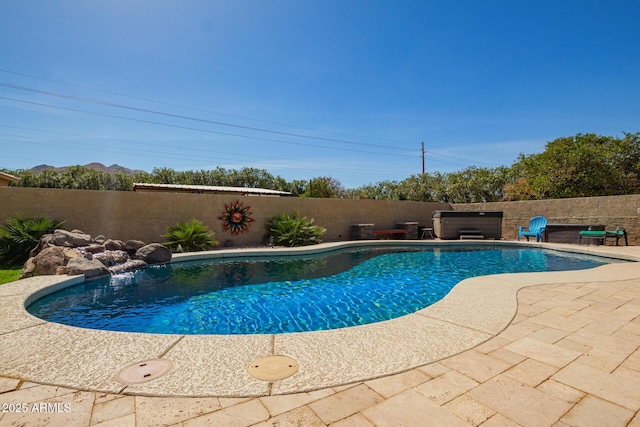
point(305, 88)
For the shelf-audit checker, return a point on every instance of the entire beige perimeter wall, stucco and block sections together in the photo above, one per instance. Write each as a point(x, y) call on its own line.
point(146, 216)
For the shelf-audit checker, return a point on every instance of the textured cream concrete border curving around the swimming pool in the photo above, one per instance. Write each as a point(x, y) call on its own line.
point(474, 311)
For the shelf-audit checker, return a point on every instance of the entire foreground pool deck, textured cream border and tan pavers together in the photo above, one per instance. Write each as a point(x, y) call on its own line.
point(491, 352)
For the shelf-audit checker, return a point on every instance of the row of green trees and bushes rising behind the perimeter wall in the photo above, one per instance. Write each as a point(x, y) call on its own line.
point(576, 166)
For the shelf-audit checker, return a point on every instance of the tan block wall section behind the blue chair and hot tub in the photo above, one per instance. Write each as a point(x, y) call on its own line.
point(612, 211)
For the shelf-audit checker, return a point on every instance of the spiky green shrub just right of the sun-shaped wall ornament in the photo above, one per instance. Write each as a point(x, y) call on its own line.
point(293, 230)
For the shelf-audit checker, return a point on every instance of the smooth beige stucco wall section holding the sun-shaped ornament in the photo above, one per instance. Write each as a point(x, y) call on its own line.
point(146, 215)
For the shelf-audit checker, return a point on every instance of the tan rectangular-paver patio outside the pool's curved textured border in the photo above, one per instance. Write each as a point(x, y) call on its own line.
point(570, 357)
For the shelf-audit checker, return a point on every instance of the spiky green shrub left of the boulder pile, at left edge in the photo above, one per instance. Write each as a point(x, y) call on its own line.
point(21, 234)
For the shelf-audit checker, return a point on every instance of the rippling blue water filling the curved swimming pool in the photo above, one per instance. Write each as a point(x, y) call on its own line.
point(255, 296)
